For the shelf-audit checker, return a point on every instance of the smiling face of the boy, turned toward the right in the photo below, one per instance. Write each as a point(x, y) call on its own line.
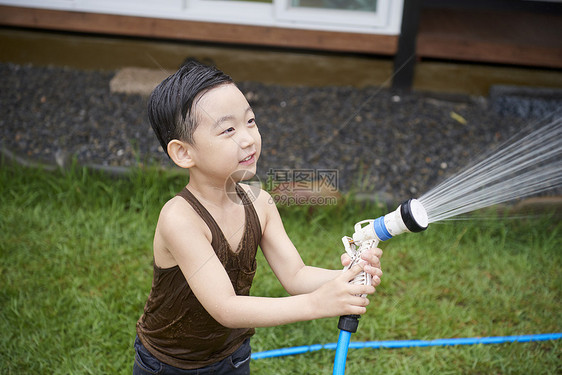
point(227, 140)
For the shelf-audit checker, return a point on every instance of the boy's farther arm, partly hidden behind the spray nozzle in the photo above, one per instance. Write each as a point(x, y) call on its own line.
point(286, 262)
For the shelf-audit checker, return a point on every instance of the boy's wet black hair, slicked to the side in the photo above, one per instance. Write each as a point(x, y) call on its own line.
point(171, 103)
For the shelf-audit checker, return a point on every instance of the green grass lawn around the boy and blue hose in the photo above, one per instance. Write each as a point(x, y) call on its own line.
point(75, 266)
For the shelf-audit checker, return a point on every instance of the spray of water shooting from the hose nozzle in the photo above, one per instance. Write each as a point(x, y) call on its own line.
point(527, 164)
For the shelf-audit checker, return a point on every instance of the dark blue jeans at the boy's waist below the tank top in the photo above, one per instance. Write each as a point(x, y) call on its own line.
point(238, 363)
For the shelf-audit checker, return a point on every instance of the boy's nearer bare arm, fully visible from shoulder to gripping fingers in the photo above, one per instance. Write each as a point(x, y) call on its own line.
point(186, 238)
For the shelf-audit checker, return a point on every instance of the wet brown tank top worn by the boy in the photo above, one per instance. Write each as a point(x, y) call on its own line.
point(175, 327)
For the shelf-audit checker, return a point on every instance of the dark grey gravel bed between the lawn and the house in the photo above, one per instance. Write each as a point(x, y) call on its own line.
point(394, 144)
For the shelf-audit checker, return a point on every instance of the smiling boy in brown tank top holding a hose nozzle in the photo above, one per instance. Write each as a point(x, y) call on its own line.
point(199, 316)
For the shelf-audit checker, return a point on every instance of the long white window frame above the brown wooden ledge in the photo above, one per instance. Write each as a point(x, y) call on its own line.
point(386, 20)
